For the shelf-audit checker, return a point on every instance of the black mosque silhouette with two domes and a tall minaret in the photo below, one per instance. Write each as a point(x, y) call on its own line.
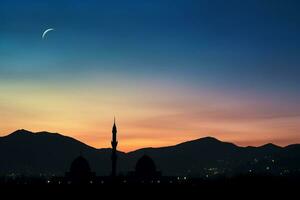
point(80, 171)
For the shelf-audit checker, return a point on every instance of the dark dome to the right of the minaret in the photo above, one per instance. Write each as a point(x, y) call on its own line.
point(145, 166)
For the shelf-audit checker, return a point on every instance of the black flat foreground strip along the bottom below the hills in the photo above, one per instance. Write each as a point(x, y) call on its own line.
point(239, 188)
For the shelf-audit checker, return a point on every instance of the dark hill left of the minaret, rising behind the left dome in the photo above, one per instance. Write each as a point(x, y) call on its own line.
point(47, 153)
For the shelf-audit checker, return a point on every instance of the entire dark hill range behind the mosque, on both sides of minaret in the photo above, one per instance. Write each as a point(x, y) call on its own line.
point(24, 152)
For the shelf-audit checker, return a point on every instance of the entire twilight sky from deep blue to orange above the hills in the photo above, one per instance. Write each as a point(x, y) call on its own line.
point(168, 70)
